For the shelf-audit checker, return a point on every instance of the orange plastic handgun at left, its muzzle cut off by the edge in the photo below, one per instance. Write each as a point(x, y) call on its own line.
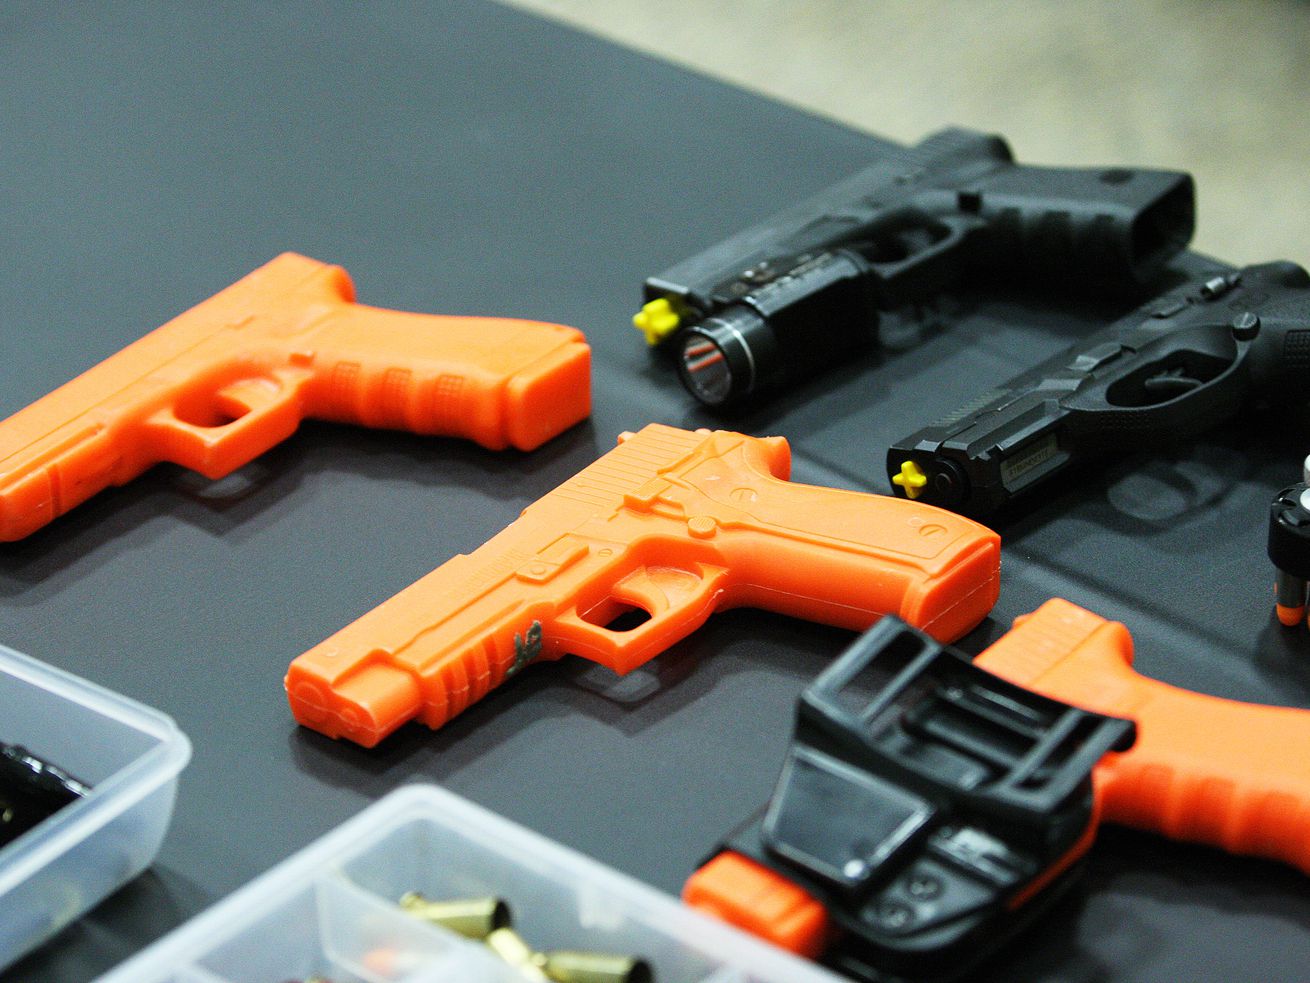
point(235, 376)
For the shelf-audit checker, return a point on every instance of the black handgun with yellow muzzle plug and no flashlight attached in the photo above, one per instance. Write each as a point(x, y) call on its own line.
point(1173, 369)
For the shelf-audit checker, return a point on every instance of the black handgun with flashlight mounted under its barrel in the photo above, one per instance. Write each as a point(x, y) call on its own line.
point(802, 292)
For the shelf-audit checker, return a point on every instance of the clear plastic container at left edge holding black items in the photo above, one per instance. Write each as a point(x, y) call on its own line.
point(129, 754)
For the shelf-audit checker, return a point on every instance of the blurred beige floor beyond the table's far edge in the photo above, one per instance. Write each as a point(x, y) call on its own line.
point(1219, 88)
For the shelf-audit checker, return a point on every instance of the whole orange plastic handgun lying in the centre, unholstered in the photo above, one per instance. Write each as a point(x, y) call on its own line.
point(670, 526)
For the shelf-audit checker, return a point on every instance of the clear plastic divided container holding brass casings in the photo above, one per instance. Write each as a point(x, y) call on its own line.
point(332, 910)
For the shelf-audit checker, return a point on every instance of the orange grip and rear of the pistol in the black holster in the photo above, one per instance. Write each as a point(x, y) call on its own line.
point(1205, 770)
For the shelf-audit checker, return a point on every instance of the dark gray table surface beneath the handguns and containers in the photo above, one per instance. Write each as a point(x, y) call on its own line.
point(462, 158)
